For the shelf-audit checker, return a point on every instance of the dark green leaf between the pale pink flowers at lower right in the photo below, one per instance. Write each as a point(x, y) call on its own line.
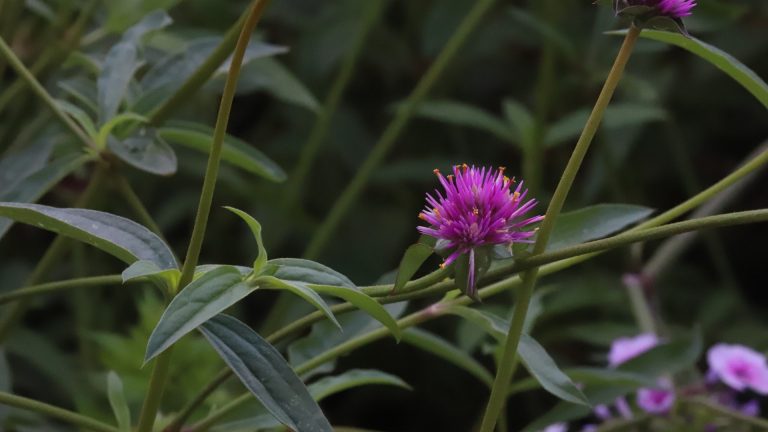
point(666, 358)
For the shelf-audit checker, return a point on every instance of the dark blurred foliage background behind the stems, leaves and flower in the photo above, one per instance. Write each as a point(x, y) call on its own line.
point(516, 95)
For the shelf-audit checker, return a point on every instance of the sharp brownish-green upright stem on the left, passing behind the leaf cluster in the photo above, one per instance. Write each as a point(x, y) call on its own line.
point(162, 365)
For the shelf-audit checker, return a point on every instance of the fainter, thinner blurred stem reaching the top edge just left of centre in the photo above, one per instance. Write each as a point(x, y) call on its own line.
point(321, 126)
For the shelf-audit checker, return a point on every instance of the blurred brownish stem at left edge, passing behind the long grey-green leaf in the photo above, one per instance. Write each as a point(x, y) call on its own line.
point(51, 256)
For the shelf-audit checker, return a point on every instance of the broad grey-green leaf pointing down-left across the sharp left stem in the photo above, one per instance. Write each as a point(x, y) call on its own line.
point(201, 300)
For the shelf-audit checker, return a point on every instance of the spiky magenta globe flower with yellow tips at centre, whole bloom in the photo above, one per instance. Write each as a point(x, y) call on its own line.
point(478, 208)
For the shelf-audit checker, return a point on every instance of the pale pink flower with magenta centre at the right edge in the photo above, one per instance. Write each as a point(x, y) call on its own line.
point(739, 367)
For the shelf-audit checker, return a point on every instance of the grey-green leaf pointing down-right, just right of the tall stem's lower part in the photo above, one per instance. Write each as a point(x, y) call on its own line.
point(541, 366)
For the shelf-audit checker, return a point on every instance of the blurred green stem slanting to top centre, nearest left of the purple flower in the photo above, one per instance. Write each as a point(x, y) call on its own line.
point(391, 134)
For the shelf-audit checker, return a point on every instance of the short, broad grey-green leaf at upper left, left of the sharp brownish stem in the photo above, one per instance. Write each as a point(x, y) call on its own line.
point(145, 150)
